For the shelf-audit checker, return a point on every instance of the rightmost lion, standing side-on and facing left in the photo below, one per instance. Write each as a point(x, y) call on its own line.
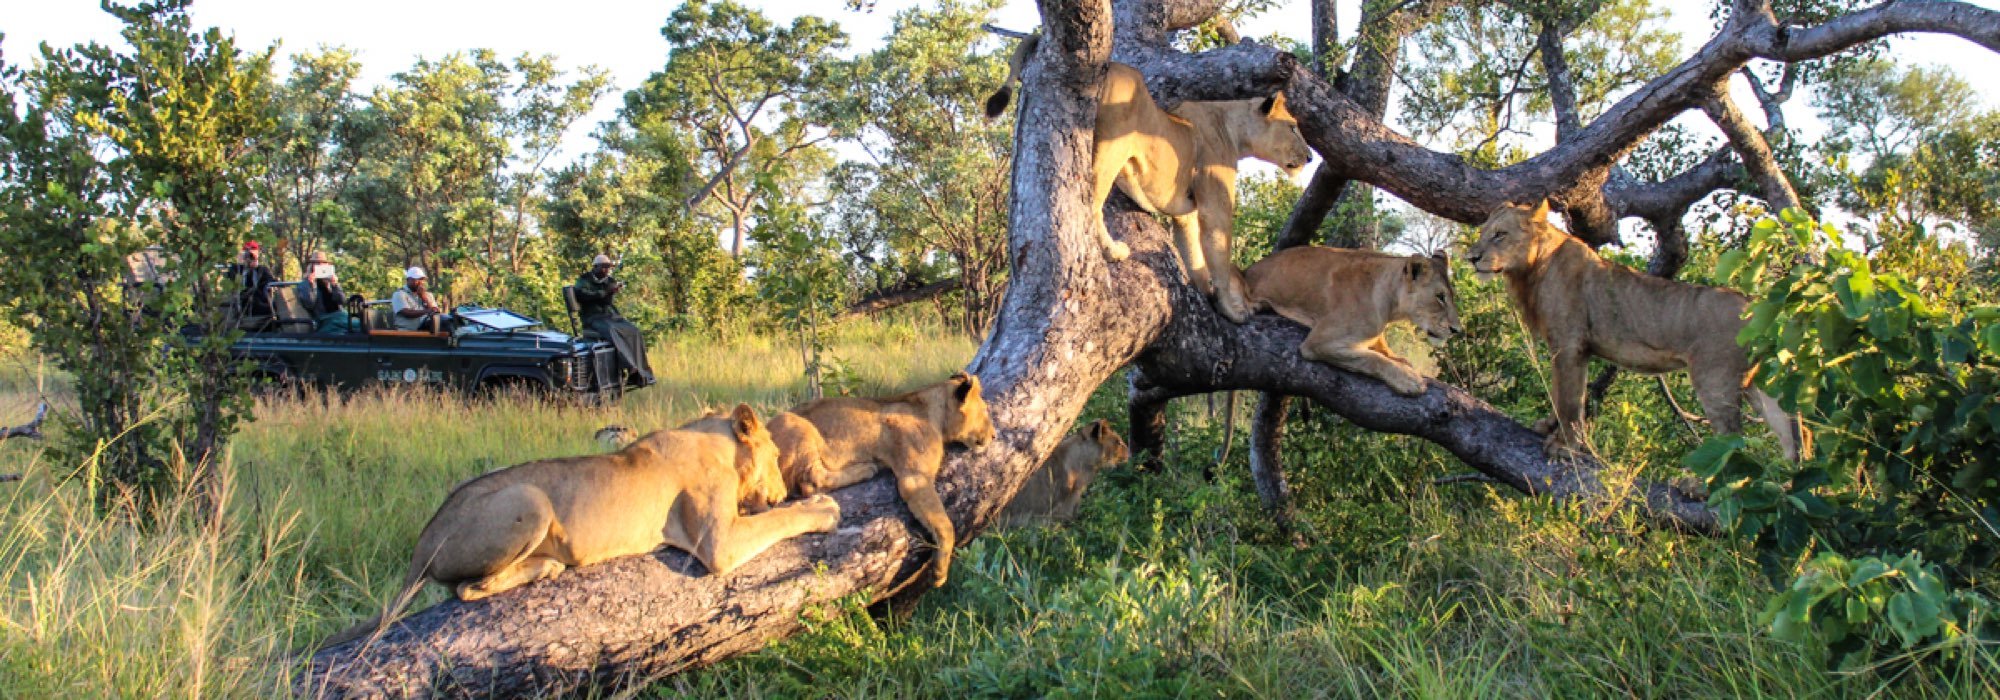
point(1587, 307)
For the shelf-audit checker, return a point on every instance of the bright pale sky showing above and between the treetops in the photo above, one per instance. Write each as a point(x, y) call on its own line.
point(625, 35)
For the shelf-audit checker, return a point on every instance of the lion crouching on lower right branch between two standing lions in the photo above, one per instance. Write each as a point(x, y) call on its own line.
point(1347, 297)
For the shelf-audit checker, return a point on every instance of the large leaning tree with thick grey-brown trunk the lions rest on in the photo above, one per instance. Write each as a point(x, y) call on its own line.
point(1071, 321)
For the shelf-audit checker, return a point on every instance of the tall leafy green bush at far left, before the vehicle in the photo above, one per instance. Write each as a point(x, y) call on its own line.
point(111, 151)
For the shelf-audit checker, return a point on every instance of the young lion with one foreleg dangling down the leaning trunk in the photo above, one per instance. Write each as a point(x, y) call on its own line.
point(905, 435)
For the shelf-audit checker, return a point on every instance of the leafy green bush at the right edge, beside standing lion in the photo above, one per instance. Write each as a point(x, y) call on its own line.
point(1907, 471)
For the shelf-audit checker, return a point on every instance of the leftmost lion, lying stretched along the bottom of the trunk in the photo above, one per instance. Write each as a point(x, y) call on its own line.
point(675, 487)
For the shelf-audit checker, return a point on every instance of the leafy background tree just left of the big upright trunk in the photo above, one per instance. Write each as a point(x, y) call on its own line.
point(931, 201)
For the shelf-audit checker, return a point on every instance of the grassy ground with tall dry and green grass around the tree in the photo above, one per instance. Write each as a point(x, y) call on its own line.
point(1169, 583)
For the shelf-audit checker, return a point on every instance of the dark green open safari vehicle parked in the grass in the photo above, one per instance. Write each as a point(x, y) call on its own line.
point(491, 349)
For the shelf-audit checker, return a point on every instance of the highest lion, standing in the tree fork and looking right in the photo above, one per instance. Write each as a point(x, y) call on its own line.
point(1179, 165)
